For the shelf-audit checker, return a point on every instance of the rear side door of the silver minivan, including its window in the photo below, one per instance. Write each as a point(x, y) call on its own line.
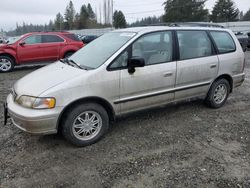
point(197, 66)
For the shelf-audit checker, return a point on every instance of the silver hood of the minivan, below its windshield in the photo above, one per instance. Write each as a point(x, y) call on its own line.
point(37, 82)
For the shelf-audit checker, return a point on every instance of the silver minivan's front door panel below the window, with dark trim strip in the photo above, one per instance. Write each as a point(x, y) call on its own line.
point(149, 86)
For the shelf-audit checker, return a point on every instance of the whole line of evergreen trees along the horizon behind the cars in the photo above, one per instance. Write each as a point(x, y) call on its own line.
point(175, 11)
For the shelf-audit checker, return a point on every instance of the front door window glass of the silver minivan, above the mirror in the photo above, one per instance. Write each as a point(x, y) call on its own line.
point(154, 48)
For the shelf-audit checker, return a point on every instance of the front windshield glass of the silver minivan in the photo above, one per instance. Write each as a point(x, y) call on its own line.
point(97, 52)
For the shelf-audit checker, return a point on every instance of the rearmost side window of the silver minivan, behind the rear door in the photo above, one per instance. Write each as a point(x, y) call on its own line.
point(223, 41)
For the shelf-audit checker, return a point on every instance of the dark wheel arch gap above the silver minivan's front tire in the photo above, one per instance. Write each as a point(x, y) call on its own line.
point(104, 103)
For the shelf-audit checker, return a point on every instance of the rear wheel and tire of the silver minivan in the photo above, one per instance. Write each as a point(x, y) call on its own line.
point(218, 93)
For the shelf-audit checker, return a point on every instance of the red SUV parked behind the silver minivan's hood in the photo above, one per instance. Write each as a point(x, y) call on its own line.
point(37, 47)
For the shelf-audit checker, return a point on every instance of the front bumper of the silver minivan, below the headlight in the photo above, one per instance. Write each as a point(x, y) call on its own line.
point(31, 120)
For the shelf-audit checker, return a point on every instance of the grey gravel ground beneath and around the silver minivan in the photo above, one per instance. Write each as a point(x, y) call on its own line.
point(183, 145)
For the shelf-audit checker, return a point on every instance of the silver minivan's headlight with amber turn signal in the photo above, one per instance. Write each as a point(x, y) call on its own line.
point(36, 102)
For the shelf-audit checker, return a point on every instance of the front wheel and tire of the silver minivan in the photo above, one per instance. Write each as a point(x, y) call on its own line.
point(79, 123)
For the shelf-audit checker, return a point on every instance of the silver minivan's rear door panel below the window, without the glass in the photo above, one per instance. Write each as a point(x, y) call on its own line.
point(195, 75)
